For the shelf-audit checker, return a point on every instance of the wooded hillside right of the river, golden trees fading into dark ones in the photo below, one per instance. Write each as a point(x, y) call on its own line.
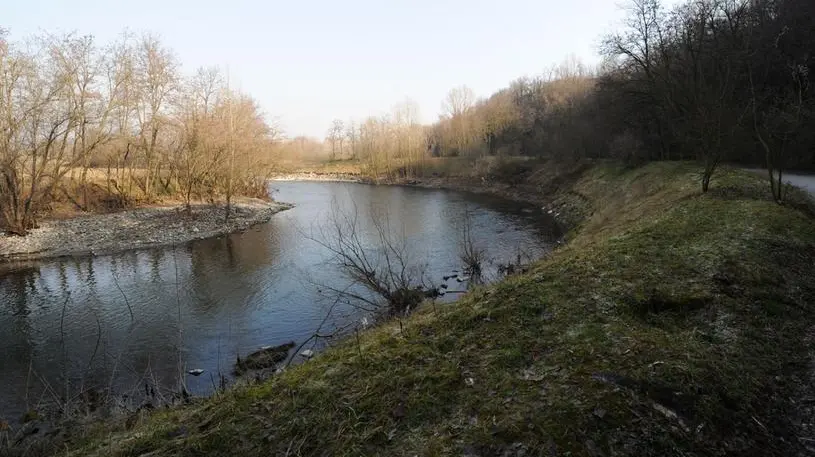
point(710, 80)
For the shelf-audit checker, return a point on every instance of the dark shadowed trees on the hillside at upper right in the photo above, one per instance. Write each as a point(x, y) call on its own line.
point(715, 80)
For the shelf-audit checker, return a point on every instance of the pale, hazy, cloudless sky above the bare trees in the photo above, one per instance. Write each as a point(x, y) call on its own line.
point(308, 62)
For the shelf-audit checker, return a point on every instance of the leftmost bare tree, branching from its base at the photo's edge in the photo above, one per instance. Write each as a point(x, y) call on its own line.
point(42, 123)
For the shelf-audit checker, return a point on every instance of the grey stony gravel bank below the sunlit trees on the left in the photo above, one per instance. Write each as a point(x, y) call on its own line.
point(134, 229)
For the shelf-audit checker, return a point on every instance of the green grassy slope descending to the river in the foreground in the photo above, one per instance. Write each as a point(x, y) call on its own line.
point(673, 323)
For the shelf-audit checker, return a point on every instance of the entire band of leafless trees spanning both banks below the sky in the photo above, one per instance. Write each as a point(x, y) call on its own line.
point(102, 127)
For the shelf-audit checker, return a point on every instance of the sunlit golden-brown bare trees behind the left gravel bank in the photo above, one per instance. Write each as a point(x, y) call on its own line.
point(111, 125)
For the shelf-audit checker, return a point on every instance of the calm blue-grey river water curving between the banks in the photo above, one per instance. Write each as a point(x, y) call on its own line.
point(66, 324)
